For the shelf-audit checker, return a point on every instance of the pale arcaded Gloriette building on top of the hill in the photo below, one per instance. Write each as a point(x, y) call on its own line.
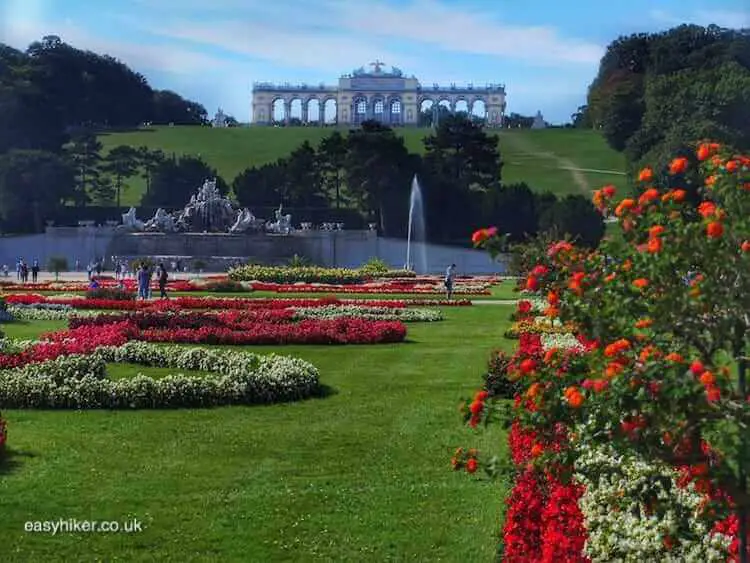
point(389, 97)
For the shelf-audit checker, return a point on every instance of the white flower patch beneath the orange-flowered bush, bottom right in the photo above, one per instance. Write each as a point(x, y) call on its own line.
point(619, 526)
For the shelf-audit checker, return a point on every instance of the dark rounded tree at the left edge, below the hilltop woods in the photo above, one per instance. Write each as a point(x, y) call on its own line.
point(33, 186)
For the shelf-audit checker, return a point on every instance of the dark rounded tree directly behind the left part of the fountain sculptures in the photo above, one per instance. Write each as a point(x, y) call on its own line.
point(177, 179)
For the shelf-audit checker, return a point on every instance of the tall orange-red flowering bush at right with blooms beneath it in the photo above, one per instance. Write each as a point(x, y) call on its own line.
point(662, 317)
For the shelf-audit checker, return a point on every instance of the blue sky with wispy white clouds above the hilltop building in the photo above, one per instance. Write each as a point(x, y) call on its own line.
point(545, 52)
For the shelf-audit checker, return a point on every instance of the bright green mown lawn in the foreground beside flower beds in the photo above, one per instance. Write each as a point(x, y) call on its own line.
point(359, 475)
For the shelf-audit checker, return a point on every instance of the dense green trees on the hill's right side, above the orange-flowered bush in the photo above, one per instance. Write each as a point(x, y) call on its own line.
point(656, 92)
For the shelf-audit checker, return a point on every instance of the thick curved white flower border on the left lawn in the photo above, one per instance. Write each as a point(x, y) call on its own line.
point(81, 381)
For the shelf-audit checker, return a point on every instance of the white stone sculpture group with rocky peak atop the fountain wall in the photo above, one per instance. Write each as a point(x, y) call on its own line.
point(207, 211)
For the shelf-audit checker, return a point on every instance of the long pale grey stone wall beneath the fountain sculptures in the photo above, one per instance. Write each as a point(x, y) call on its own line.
point(347, 248)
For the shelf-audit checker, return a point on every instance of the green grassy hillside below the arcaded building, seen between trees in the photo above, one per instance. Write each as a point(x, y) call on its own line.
point(559, 160)
